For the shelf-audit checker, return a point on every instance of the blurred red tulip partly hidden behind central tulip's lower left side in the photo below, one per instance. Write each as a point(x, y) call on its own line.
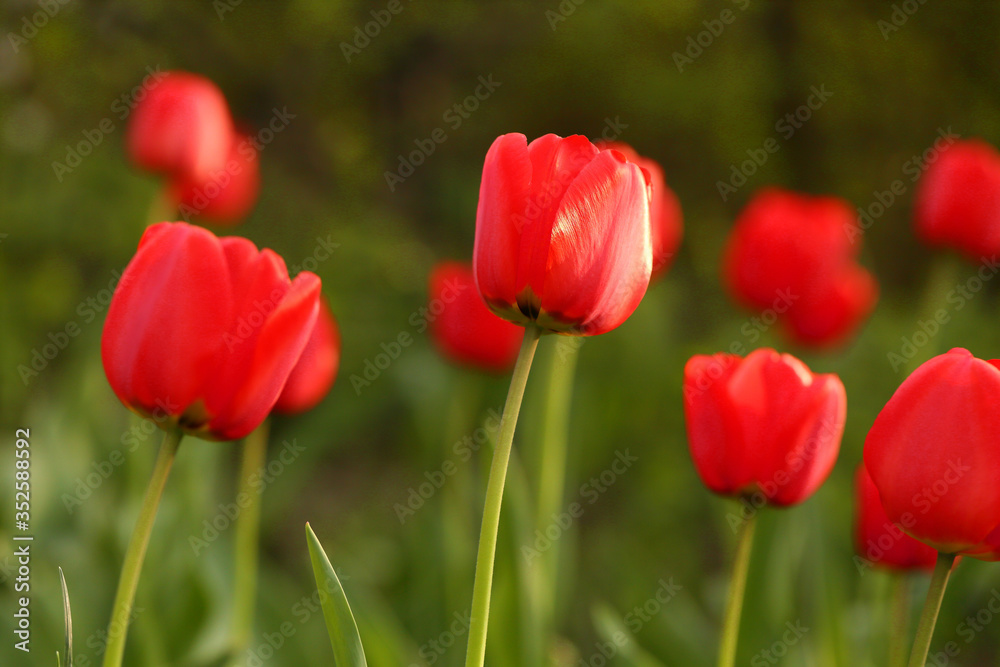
point(463, 328)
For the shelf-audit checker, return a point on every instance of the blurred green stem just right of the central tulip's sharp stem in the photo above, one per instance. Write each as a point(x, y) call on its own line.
point(552, 467)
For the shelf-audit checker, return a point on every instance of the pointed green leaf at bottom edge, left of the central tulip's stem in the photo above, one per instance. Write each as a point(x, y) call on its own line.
point(347, 649)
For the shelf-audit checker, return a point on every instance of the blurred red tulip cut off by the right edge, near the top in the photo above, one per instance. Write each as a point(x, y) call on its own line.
point(958, 200)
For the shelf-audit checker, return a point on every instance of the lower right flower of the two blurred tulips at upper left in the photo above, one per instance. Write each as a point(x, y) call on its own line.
point(227, 196)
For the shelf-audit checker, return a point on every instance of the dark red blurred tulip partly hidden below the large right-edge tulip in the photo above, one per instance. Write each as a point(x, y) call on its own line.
point(879, 540)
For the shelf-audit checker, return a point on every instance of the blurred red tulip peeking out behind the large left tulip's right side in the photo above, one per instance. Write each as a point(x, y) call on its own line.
point(316, 369)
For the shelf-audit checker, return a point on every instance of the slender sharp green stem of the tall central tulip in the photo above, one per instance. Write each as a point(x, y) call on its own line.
point(483, 583)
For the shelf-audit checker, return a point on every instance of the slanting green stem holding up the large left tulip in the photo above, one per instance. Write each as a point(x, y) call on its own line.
point(128, 582)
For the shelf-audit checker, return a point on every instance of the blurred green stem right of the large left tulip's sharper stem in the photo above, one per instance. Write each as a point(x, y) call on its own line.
point(247, 540)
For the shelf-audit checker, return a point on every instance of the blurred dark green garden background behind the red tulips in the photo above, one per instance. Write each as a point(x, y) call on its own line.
point(562, 68)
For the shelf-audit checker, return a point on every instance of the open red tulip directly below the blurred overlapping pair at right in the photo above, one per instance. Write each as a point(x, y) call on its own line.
point(764, 424)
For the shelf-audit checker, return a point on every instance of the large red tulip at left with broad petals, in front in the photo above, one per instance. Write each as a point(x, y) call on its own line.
point(202, 332)
